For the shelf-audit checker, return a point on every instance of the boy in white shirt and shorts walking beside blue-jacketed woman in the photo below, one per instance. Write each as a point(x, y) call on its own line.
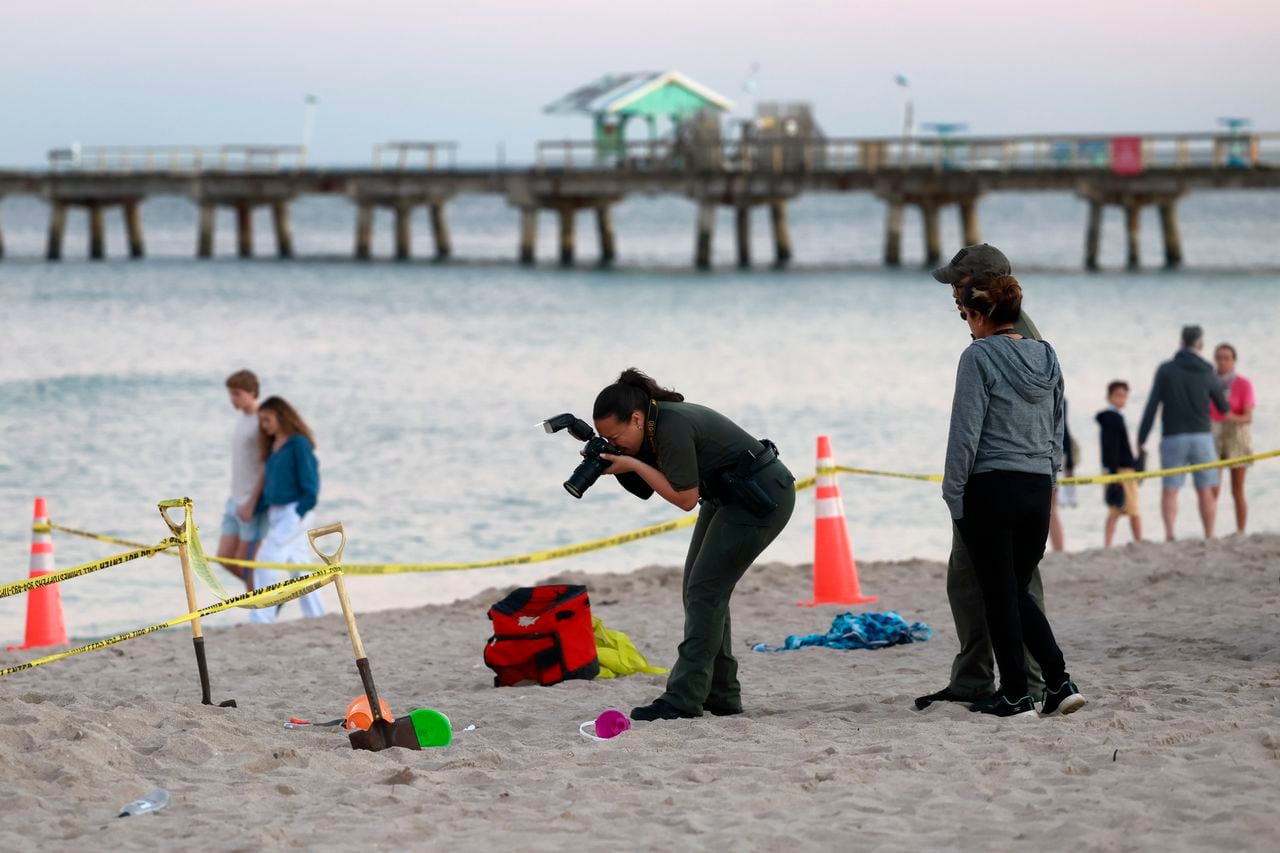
point(243, 528)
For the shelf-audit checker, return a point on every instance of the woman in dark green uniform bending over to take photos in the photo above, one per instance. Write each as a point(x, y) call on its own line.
point(692, 455)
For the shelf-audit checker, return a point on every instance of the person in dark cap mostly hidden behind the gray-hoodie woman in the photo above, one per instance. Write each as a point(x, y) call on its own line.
point(973, 672)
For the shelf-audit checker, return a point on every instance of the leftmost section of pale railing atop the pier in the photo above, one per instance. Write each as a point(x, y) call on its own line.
point(179, 158)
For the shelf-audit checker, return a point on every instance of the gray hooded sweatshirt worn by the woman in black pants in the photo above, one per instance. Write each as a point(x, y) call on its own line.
point(1008, 414)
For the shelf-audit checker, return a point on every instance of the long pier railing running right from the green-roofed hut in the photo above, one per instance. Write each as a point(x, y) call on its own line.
point(1109, 153)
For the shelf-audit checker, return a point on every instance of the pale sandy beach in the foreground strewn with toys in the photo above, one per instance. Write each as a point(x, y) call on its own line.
point(1180, 749)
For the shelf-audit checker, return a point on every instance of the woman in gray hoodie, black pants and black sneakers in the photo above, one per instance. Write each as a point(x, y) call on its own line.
point(1004, 451)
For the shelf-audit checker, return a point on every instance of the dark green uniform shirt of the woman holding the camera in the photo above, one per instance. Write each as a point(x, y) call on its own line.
point(696, 441)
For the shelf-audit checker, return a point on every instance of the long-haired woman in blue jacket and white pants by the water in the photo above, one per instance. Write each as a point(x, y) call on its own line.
point(291, 485)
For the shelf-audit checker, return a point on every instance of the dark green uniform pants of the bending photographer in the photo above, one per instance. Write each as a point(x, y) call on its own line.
point(726, 541)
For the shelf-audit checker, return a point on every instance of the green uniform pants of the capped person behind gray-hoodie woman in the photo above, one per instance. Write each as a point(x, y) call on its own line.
point(973, 673)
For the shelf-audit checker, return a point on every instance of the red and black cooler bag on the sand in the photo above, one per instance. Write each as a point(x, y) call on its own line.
point(542, 635)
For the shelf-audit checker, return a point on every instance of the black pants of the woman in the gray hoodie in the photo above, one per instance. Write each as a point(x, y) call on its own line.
point(1005, 526)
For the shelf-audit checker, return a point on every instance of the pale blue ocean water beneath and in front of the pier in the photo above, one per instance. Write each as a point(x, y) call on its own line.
point(424, 384)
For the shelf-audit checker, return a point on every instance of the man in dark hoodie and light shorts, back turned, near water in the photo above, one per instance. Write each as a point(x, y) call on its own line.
point(1186, 386)
